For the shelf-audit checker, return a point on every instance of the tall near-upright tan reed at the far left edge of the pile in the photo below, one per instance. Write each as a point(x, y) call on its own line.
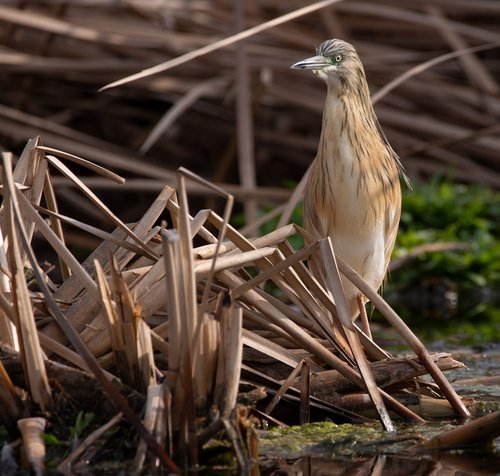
point(31, 351)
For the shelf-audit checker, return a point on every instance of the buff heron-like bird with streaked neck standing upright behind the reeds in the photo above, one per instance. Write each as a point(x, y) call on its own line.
point(353, 191)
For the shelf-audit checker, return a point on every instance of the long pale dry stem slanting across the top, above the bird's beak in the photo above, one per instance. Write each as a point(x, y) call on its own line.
point(223, 43)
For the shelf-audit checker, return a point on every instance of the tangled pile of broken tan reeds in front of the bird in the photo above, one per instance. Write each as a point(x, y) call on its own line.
point(178, 315)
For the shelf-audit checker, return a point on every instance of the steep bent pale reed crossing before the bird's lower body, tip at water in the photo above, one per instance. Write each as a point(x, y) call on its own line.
point(335, 285)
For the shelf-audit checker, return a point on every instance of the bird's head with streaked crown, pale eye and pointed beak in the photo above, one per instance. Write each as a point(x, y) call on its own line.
point(336, 62)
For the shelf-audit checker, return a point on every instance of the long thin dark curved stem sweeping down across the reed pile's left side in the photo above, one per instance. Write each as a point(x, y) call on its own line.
point(118, 400)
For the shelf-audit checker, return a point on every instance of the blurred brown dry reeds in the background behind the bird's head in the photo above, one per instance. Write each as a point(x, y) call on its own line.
point(432, 69)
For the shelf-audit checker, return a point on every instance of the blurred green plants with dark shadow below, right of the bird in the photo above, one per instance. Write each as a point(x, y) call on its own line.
point(458, 288)
